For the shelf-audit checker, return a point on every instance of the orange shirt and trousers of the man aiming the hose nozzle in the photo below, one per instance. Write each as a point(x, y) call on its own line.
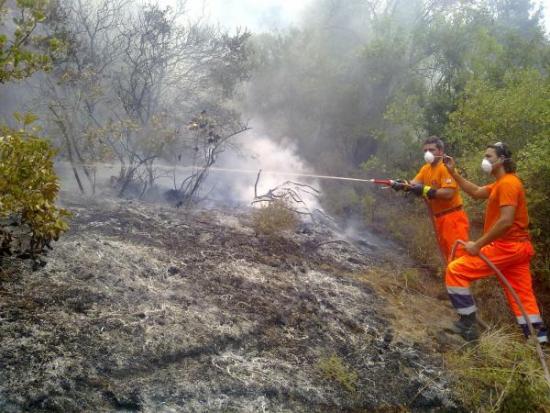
point(451, 222)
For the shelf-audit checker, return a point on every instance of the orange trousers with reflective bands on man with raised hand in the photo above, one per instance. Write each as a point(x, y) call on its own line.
point(512, 259)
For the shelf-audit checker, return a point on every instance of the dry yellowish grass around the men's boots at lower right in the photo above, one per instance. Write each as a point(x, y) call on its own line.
point(501, 374)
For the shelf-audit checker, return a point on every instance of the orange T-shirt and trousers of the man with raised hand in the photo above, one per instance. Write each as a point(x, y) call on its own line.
point(510, 253)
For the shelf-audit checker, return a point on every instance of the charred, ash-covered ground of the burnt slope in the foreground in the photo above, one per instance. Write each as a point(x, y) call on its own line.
point(143, 307)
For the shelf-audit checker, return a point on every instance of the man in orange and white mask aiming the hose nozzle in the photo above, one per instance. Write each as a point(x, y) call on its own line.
point(435, 183)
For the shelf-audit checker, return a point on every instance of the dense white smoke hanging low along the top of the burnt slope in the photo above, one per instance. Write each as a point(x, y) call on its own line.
point(232, 179)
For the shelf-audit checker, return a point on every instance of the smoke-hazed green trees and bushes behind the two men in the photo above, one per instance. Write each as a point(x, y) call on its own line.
point(361, 100)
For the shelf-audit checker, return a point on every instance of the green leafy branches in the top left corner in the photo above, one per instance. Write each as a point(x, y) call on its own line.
point(17, 59)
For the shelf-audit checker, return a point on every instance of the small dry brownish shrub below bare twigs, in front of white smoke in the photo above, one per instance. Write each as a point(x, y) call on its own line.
point(274, 218)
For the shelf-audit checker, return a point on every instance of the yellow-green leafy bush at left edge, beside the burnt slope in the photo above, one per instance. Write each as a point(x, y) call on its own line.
point(29, 186)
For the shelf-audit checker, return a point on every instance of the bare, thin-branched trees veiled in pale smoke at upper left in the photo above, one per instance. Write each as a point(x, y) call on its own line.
point(131, 81)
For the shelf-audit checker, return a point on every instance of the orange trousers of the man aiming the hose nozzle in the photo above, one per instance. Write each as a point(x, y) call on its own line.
point(452, 227)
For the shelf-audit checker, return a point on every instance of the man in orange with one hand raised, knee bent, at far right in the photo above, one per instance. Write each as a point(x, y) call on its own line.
point(505, 242)
